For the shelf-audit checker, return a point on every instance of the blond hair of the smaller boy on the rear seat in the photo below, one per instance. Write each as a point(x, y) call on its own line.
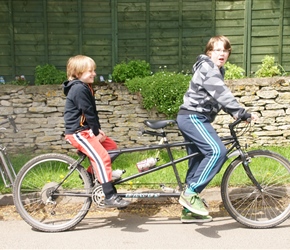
point(77, 65)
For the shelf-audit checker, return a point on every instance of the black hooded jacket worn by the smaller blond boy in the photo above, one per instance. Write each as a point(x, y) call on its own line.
point(80, 108)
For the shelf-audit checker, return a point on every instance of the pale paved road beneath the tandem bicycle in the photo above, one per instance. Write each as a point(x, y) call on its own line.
point(125, 231)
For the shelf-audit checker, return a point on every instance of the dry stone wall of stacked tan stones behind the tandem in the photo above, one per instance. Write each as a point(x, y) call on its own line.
point(39, 115)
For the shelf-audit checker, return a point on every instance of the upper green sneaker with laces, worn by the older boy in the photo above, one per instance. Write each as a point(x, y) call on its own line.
point(193, 203)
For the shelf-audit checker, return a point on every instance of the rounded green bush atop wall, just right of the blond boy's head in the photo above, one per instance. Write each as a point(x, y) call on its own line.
point(126, 71)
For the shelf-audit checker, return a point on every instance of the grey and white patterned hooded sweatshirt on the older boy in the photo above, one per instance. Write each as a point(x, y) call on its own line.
point(207, 93)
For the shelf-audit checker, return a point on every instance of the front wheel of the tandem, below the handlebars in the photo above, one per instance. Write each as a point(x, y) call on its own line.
point(245, 202)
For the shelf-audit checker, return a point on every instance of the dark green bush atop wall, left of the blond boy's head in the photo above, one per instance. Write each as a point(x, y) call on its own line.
point(48, 75)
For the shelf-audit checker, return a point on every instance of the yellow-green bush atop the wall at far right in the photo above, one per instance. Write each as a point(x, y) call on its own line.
point(269, 68)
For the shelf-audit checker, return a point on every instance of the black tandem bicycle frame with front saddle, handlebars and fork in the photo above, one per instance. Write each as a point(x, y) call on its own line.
point(231, 142)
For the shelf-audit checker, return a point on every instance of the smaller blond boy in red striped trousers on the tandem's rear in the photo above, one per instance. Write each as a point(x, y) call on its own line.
point(82, 125)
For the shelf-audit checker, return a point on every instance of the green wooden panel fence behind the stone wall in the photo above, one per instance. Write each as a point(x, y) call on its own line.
point(167, 33)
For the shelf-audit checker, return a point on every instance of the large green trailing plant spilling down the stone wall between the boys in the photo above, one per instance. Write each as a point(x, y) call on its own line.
point(163, 90)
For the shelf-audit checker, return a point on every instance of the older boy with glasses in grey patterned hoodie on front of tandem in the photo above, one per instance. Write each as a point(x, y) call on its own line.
point(206, 96)
